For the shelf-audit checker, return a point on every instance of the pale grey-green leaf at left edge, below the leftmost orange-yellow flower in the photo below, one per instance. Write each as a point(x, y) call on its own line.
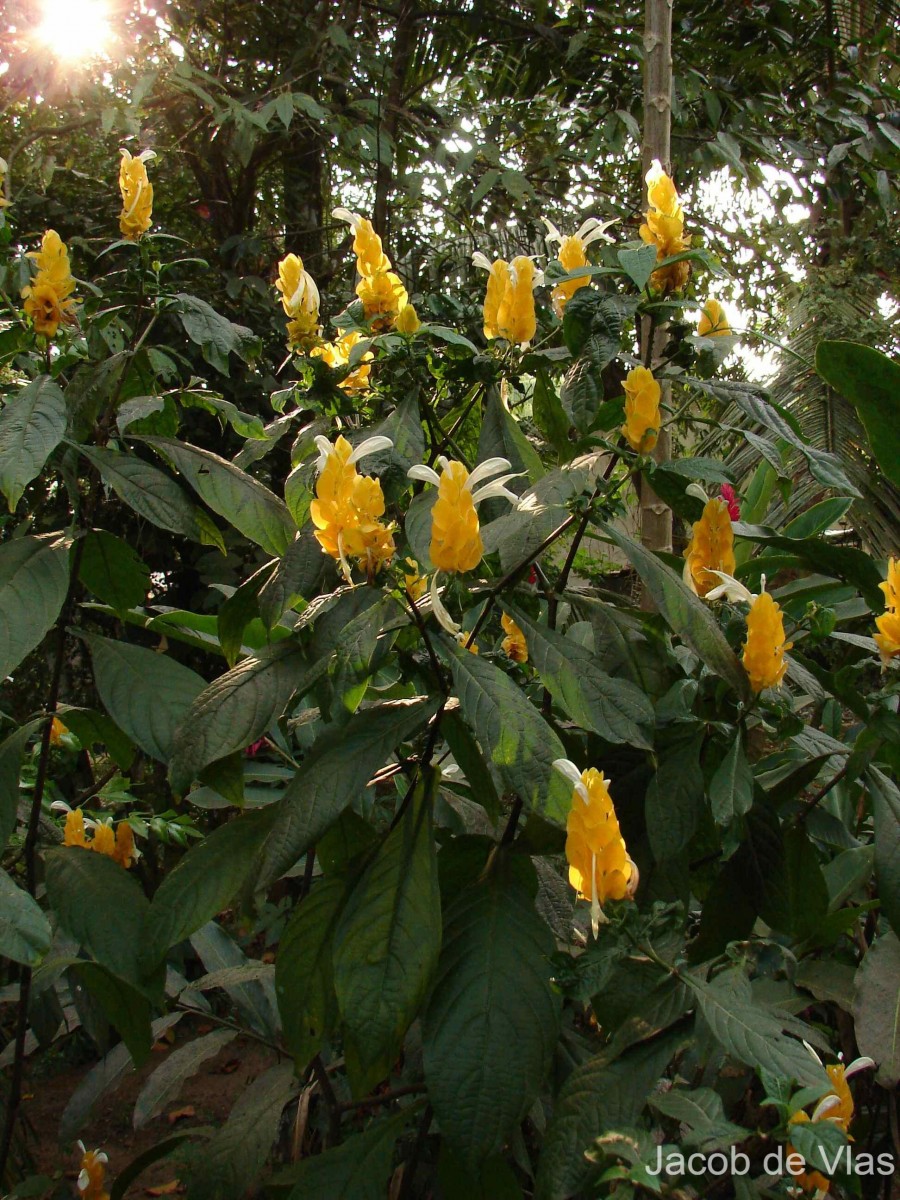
point(32, 427)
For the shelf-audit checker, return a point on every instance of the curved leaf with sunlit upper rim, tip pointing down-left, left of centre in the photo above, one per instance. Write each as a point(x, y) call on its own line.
point(236, 710)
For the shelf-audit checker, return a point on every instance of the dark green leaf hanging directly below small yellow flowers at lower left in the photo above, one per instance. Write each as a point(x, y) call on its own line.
point(101, 907)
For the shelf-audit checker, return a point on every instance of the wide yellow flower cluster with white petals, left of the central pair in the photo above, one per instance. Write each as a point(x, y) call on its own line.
point(349, 507)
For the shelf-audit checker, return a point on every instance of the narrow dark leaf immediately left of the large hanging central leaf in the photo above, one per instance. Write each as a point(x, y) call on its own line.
point(304, 982)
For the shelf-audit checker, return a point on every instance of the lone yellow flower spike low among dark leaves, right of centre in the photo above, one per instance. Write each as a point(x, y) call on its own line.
point(599, 867)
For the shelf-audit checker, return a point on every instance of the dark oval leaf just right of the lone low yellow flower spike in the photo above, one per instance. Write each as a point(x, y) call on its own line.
point(675, 799)
